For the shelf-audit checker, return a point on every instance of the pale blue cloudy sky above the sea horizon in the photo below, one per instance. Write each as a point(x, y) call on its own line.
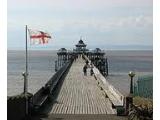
point(108, 24)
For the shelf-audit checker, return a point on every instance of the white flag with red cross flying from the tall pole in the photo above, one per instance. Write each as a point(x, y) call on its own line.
point(38, 37)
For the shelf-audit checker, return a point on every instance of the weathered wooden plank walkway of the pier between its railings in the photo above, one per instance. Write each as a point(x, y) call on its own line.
point(80, 94)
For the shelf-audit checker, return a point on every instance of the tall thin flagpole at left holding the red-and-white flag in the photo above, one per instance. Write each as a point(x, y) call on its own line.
point(26, 72)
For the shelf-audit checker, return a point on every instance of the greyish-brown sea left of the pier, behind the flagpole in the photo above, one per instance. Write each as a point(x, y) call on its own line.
point(40, 65)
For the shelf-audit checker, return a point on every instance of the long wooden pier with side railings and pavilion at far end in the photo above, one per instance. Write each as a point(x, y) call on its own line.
point(71, 93)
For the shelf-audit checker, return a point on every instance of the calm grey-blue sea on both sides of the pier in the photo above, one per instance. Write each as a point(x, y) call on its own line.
point(41, 65)
